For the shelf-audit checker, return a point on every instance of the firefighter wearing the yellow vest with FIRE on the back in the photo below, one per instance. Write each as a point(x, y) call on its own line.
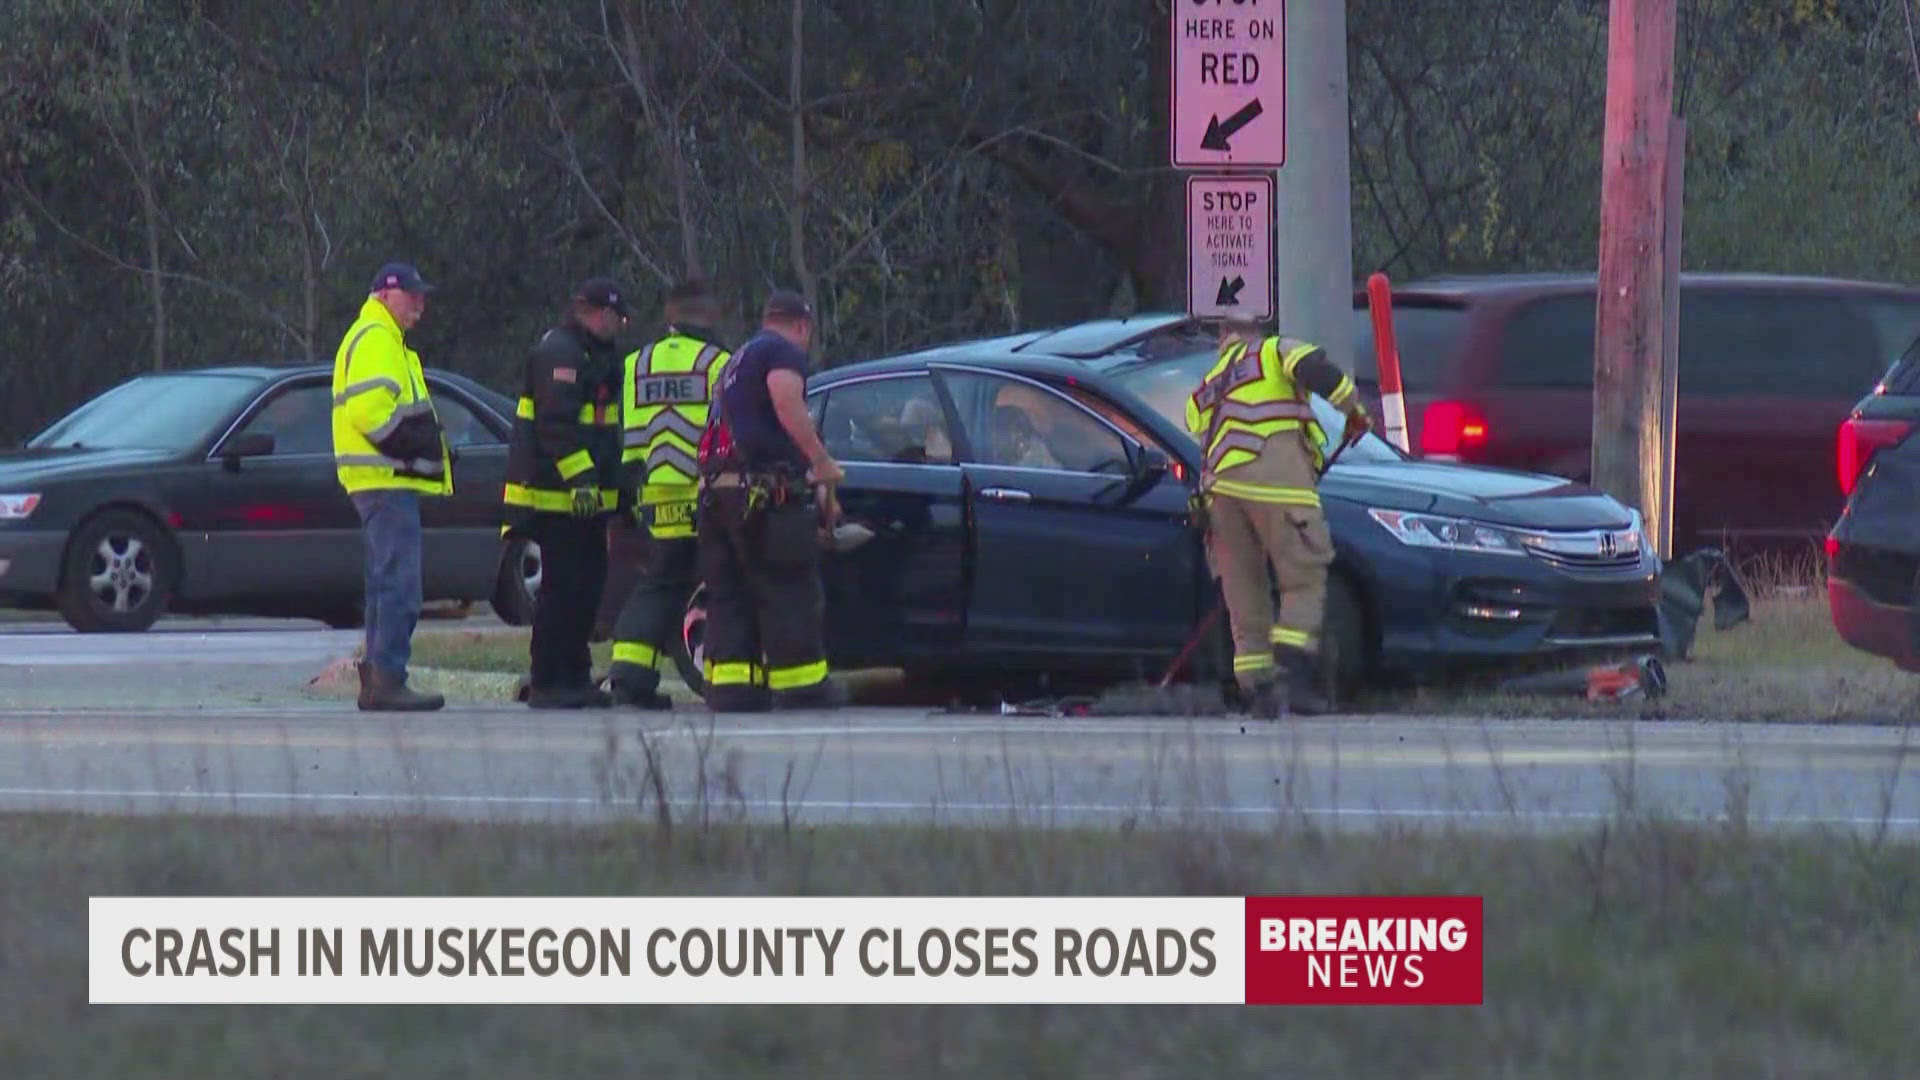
point(667, 389)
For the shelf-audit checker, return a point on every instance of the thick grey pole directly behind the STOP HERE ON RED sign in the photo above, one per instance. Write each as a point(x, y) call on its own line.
point(1314, 201)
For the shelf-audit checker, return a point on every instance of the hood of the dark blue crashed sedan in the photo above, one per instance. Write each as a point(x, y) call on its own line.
point(1500, 497)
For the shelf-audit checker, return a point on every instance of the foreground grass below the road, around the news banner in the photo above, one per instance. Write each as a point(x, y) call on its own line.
point(1635, 950)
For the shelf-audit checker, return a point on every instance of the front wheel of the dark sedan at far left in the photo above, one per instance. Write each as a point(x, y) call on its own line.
point(118, 576)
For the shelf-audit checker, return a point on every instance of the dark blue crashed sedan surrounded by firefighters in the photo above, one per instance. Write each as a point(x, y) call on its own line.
point(1030, 503)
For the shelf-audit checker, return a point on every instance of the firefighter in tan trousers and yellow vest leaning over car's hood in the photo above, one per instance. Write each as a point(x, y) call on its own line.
point(1262, 451)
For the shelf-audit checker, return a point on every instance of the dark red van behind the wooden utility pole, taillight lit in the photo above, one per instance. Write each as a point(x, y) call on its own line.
point(1500, 372)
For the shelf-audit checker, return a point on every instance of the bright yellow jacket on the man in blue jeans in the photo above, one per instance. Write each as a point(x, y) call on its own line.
point(377, 385)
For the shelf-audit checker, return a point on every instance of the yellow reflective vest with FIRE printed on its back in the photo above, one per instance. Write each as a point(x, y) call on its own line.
point(667, 395)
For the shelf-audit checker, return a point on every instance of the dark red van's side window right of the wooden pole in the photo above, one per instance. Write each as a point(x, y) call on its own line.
point(1775, 343)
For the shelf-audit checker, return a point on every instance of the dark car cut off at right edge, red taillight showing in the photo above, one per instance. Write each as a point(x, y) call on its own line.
point(1875, 551)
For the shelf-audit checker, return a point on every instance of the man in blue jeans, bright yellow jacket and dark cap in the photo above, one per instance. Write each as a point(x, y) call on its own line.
point(389, 453)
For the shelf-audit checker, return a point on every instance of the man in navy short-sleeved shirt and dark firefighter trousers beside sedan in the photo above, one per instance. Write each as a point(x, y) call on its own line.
point(759, 524)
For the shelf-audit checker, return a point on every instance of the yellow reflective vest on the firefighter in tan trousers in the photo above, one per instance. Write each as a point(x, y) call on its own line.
point(1245, 401)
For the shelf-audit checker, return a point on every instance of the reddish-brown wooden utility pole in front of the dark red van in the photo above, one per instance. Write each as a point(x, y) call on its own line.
point(1629, 337)
